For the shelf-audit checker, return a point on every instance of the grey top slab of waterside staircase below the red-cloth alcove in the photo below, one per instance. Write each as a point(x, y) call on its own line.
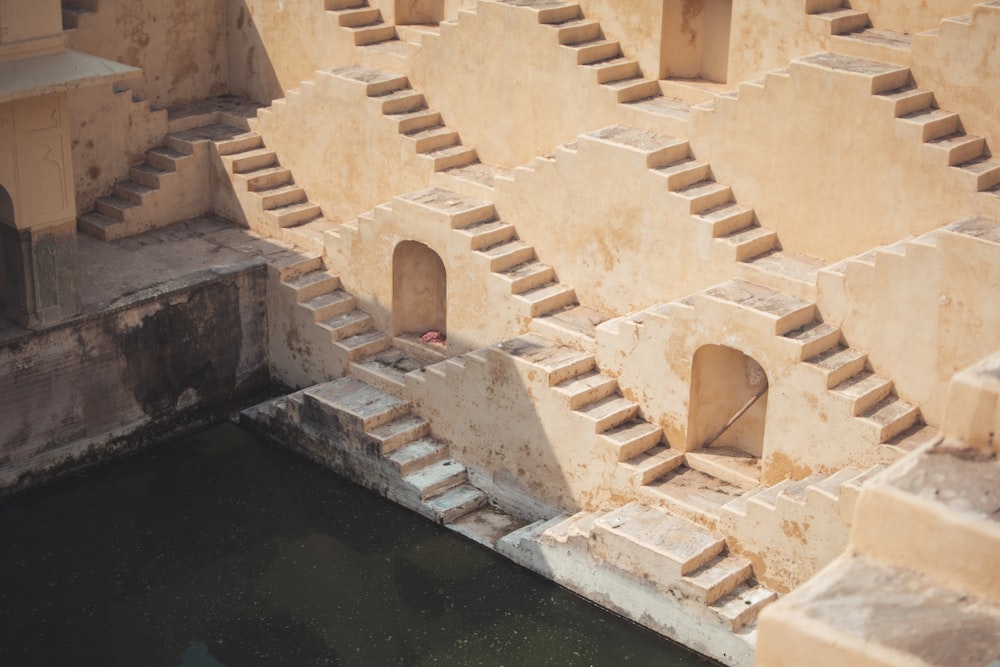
point(348, 398)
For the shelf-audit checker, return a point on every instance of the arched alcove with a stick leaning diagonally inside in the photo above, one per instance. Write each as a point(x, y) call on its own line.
point(728, 403)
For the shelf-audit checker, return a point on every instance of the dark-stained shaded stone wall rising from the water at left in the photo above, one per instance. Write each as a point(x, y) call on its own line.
point(169, 359)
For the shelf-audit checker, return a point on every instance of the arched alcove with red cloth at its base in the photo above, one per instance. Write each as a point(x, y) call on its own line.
point(419, 290)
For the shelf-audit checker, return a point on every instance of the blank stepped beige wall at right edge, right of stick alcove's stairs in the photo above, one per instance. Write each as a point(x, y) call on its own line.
point(946, 280)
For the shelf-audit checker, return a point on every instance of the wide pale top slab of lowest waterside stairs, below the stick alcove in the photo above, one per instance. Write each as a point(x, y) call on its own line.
point(652, 543)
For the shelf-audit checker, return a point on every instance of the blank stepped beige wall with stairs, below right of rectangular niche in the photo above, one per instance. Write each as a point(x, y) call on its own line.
point(880, 119)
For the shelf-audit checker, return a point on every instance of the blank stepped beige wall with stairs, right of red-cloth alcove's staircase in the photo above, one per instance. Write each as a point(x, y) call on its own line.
point(667, 212)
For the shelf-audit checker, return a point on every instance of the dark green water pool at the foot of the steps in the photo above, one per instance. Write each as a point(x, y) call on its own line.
point(222, 550)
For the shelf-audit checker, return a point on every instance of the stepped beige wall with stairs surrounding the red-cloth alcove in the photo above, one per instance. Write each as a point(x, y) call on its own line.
point(512, 287)
